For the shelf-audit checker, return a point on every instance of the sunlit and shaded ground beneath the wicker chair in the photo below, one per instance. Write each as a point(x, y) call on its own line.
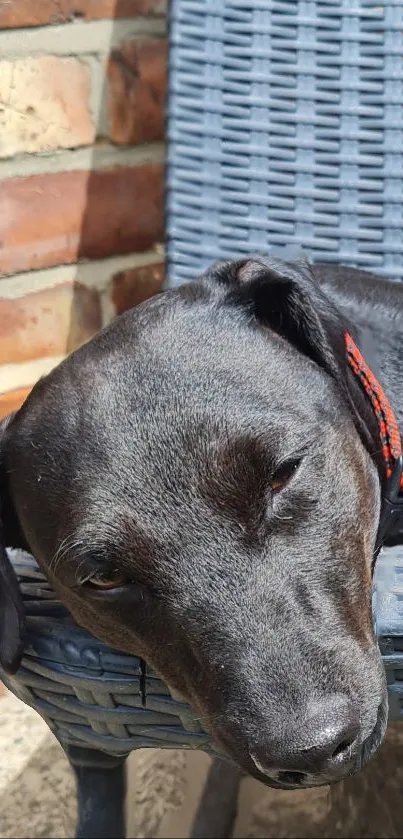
point(37, 792)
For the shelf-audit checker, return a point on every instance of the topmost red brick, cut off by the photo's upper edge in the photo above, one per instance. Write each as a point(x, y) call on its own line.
point(16, 13)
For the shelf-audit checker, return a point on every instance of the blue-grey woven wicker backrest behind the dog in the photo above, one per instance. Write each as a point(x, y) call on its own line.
point(285, 127)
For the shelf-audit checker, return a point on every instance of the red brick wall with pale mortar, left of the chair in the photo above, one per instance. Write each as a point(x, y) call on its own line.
point(82, 86)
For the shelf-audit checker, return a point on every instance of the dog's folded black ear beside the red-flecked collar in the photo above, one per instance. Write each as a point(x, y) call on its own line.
point(286, 297)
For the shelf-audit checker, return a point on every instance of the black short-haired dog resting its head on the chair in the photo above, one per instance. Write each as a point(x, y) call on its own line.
point(202, 484)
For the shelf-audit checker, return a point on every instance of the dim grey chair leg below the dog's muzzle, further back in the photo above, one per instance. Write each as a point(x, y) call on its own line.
point(216, 813)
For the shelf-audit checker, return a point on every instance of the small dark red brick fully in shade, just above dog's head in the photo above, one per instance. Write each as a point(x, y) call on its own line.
point(130, 287)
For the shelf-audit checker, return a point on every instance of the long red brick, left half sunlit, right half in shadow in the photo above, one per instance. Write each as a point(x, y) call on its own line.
point(51, 219)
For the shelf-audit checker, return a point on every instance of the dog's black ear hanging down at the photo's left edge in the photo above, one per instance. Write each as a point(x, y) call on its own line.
point(12, 614)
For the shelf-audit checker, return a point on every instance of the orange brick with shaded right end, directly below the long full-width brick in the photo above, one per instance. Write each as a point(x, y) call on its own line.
point(49, 322)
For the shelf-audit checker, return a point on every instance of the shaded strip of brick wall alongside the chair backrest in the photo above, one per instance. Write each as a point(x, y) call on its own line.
point(121, 232)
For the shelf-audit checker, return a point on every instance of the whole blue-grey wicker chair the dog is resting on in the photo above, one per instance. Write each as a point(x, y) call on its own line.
point(285, 127)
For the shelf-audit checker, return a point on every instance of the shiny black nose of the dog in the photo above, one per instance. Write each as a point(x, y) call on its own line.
point(323, 743)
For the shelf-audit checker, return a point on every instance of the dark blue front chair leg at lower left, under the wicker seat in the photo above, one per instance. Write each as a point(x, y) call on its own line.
point(101, 792)
